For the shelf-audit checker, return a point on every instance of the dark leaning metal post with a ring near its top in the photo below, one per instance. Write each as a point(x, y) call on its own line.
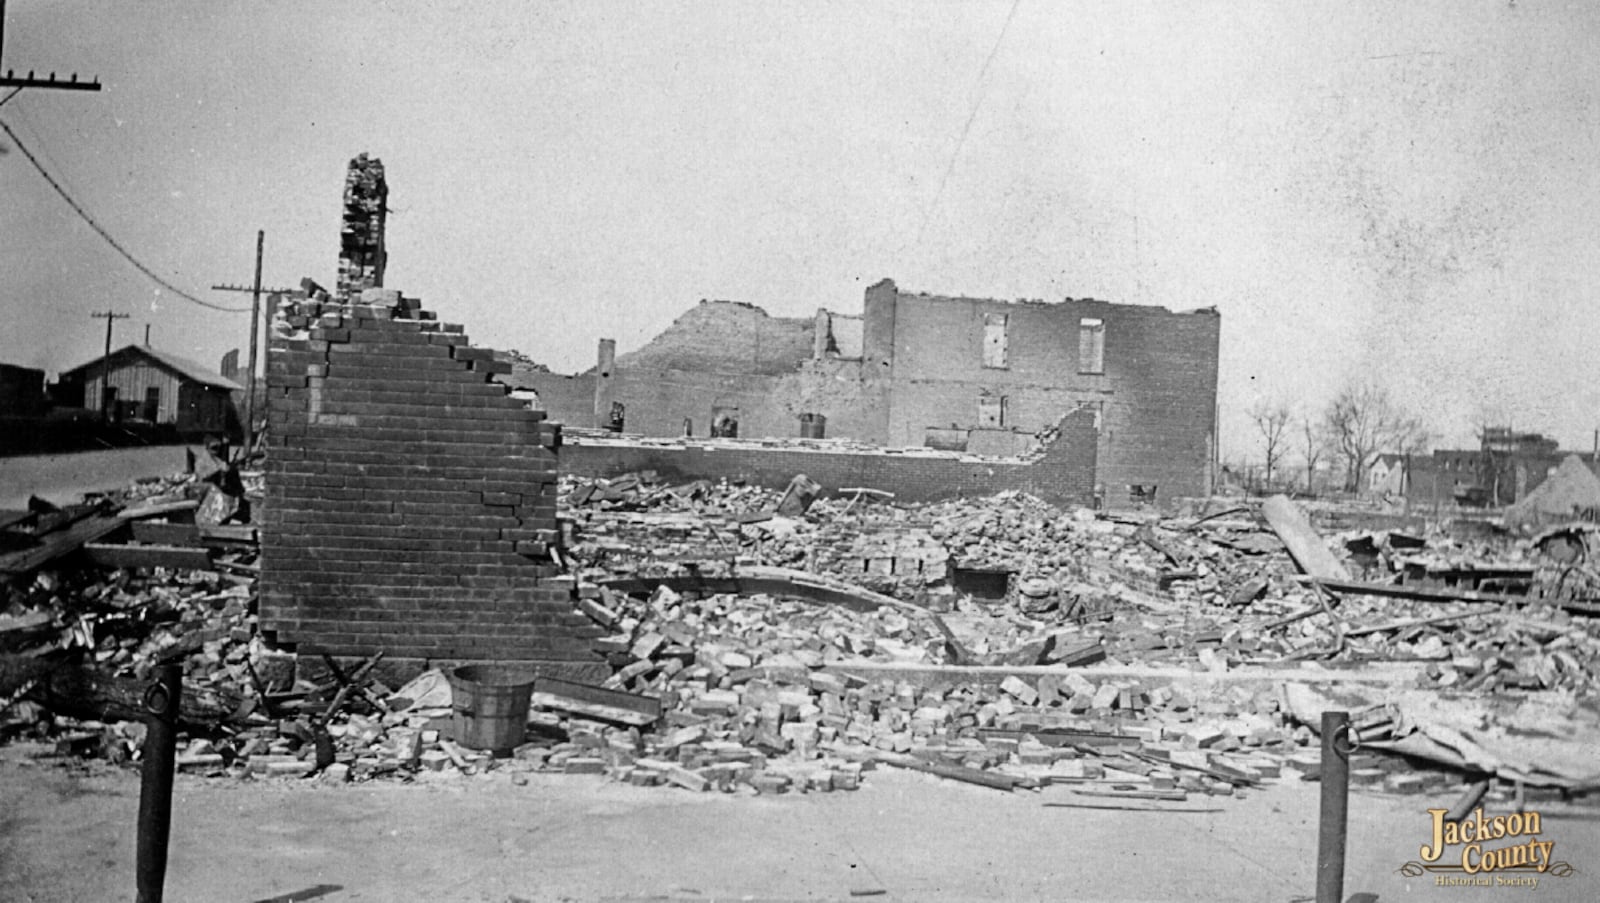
point(156, 787)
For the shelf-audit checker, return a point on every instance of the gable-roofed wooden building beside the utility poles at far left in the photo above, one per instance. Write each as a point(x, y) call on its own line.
point(143, 385)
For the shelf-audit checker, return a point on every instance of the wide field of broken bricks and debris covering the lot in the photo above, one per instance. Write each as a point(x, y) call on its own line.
point(1127, 656)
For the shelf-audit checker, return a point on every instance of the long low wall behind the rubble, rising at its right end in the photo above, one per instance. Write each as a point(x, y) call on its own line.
point(1063, 475)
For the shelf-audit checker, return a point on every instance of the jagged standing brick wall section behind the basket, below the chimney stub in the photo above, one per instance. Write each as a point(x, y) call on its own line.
point(410, 500)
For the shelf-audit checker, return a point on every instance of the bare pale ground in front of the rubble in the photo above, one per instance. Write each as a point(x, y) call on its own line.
point(68, 835)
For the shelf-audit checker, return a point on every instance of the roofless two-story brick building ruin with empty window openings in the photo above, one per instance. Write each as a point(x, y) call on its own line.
point(972, 375)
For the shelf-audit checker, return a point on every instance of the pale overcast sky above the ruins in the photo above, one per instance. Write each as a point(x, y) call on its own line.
point(1404, 193)
